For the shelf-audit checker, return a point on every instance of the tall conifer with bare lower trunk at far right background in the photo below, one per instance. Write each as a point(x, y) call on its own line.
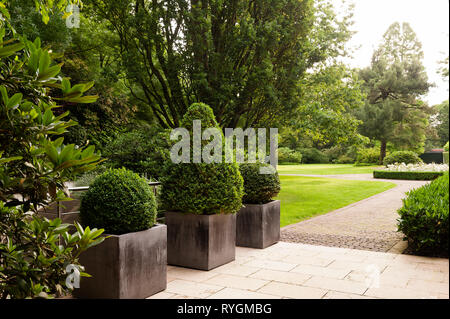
point(394, 83)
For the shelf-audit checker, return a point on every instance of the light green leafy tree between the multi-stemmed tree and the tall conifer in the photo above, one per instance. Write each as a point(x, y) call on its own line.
point(326, 103)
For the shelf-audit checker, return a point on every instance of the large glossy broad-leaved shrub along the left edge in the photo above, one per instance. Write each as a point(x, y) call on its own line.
point(35, 163)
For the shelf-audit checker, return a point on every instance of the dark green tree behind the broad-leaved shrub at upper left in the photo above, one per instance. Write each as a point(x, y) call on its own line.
point(86, 52)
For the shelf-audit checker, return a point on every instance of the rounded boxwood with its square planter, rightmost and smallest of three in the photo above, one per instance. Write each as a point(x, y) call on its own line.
point(258, 222)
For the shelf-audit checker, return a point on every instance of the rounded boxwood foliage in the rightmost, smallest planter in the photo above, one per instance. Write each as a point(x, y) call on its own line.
point(259, 188)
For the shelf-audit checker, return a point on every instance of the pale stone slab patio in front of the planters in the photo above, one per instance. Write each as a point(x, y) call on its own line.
point(301, 271)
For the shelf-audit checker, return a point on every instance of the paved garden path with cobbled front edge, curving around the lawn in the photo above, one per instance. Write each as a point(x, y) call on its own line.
point(369, 224)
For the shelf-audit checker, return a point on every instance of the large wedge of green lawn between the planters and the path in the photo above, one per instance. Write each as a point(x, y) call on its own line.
point(304, 197)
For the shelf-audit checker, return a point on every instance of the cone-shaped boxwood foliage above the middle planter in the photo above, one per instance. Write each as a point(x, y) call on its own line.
point(201, 188)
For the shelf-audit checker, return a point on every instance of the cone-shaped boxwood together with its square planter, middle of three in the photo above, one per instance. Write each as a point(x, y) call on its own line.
point(201, 200)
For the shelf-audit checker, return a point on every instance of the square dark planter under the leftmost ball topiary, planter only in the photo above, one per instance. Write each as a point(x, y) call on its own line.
point(132, 265)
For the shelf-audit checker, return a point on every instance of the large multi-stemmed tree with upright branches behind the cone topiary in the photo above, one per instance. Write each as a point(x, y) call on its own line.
point(244, 58)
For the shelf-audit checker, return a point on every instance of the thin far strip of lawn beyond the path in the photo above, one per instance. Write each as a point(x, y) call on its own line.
point(325, 169)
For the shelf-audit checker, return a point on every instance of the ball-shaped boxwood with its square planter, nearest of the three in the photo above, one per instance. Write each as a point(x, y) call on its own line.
point(132, 260)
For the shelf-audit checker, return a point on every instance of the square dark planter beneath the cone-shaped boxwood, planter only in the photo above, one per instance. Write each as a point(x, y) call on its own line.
point(200, 241)
